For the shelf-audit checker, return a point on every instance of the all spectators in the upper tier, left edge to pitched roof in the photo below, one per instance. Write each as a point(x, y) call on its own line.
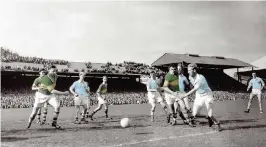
point(122, 68)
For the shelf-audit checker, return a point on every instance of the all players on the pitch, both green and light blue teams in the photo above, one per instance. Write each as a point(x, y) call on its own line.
point(173, 87)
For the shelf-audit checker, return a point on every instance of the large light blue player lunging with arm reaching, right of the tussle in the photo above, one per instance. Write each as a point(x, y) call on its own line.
point(204, 95)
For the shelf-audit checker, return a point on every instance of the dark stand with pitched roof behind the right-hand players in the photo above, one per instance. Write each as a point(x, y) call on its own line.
point(210, 66)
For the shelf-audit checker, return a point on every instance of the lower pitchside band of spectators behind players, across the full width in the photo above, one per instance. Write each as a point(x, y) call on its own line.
point(24, 98)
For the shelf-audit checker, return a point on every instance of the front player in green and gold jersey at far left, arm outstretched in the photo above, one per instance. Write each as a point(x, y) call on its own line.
point(46, 93)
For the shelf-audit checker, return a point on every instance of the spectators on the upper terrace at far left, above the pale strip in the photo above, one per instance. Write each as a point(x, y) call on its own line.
point(9, 56)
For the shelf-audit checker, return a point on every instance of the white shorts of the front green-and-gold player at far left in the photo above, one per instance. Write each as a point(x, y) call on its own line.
point(41, 99)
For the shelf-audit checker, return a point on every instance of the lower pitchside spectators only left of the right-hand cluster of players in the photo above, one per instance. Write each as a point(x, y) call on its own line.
point(24, 98)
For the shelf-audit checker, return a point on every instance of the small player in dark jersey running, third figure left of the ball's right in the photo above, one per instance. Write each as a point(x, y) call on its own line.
point(101, 95)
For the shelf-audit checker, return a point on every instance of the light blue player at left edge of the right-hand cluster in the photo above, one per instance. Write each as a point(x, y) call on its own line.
point(154, 95)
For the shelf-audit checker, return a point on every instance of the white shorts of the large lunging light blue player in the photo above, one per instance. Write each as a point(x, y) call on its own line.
point(202, 99)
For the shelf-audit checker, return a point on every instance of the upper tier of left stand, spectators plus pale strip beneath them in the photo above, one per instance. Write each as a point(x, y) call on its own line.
point(15, 62)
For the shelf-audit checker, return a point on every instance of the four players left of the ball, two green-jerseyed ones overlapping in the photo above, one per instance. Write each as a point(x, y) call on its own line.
point(46, 94)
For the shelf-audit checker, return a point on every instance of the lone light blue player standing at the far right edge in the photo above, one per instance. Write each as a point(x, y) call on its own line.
point(257, 85)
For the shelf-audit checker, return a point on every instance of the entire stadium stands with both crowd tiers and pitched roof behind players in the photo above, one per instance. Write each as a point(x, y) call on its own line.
point(124, 79)
